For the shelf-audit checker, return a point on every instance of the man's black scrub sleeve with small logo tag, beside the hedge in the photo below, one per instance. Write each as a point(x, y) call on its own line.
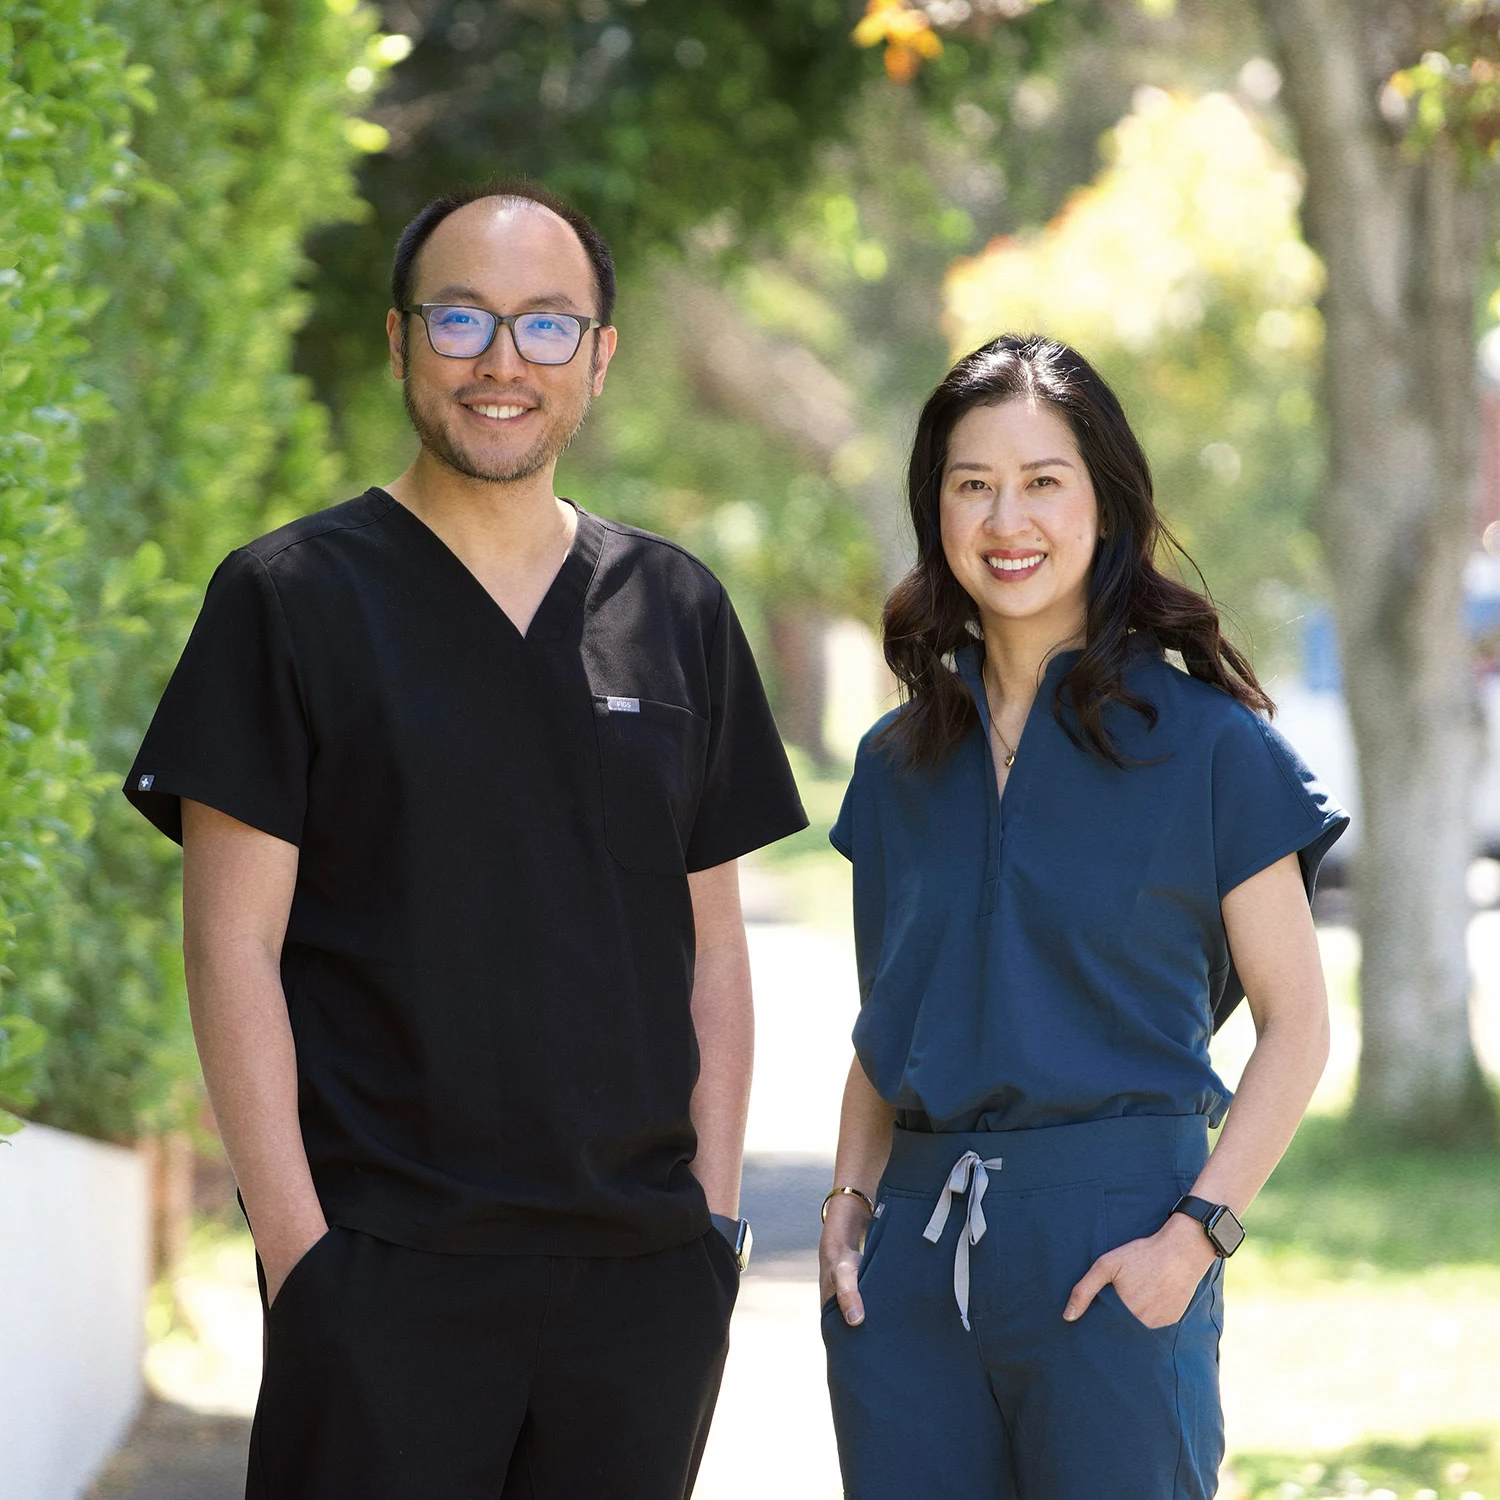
point(232, 728)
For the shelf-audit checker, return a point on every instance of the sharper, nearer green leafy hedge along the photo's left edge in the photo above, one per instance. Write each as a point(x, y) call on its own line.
point(65, 101)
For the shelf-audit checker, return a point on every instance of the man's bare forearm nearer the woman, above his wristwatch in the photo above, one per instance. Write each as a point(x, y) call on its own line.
point(725, 1024)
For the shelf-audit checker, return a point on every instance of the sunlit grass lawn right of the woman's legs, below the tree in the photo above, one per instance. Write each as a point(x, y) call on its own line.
point(1363, 1351)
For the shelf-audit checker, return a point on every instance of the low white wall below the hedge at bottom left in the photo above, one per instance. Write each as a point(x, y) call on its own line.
point(74, 1270)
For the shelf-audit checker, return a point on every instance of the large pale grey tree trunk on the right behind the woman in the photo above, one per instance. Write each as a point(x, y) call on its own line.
point(1403, 241)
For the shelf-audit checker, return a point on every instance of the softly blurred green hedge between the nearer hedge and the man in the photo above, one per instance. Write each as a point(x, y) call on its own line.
point(248, 146)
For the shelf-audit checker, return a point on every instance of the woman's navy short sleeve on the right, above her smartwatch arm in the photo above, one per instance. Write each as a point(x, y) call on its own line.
point(1268, 805)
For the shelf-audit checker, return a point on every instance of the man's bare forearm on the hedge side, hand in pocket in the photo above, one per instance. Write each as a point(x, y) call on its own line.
point(250, 1066)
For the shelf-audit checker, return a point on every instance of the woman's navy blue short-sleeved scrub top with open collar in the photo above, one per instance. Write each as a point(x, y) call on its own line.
point(1060, 955)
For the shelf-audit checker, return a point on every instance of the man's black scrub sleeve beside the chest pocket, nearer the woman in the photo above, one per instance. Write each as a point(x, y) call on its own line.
point(749, 796)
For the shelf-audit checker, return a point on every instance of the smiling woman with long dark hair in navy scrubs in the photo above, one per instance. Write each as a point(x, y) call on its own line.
point(1072, 859)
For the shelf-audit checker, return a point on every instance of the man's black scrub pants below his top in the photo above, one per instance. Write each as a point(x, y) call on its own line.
point(398, 1375)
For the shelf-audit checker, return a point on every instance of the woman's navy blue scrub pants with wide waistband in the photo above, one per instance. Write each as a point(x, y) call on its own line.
point(1024, 1406)
